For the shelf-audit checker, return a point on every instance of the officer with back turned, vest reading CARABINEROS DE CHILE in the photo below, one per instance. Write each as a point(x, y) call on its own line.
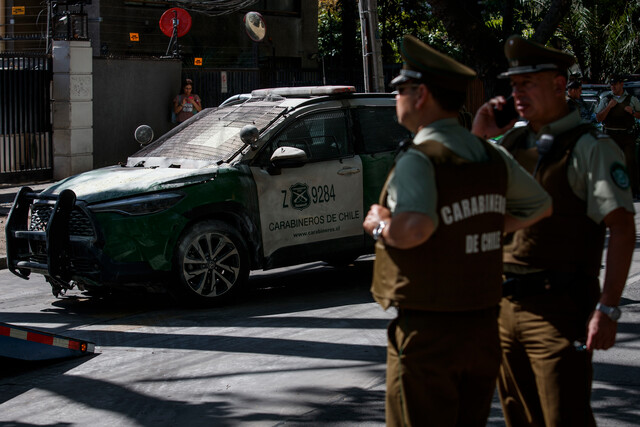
point(438, 228)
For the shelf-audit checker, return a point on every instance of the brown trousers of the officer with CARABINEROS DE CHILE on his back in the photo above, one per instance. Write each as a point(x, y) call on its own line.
point(441, 368)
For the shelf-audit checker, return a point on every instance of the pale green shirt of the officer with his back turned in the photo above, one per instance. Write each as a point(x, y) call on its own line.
point(412, 186)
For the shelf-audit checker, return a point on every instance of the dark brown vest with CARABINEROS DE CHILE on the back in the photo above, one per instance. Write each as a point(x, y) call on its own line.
point(459, 267)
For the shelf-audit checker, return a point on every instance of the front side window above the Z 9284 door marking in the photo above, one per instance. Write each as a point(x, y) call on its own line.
point(322, 136)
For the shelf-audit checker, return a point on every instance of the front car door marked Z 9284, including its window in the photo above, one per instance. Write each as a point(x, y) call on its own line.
point(305, 210)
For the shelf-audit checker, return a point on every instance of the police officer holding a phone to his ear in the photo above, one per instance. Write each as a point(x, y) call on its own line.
point(554, 314)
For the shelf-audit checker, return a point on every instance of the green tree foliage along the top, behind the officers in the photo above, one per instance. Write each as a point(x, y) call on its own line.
point(604, 35)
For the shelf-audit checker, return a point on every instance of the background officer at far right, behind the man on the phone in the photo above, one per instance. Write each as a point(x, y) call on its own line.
point(618, 111)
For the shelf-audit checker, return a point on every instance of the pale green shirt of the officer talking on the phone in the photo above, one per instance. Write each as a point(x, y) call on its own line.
point(591, 166)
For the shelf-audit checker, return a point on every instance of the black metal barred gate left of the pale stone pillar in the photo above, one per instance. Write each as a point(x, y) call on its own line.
point(25, 117)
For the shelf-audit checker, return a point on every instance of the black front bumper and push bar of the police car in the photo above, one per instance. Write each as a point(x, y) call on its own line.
point(56, 236)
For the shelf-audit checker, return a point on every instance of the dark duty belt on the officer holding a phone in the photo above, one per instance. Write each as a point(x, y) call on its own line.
point(525, 285)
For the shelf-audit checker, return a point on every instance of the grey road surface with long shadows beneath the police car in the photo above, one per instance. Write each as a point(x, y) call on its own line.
point(306, 346)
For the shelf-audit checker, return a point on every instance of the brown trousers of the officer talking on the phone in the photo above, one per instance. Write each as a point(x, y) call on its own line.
point(544, 380)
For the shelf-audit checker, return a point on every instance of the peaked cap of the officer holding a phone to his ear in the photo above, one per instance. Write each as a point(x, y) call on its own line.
point(526, 56)
